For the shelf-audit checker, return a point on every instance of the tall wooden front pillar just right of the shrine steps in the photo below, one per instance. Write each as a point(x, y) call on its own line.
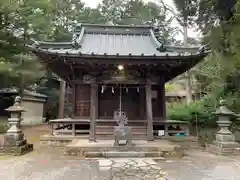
point(149, 110)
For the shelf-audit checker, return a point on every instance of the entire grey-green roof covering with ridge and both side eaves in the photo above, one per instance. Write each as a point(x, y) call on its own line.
point(114, 41)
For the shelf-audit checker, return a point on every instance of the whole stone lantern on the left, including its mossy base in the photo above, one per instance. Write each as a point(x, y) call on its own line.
point(14, 142)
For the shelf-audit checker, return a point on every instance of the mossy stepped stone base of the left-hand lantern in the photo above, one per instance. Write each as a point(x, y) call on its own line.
point(15, 147)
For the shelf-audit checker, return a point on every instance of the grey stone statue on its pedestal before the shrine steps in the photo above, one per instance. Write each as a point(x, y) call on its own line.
point(122, 132)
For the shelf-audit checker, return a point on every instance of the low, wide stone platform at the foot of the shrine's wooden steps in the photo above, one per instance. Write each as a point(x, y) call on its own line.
point(106, 149)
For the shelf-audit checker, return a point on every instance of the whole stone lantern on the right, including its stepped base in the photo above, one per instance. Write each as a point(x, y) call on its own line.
point(225, 143)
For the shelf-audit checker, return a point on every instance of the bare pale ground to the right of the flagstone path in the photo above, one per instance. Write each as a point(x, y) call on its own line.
point(200, 165)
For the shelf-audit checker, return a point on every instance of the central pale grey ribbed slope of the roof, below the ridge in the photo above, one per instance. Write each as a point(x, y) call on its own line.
point(118, 44)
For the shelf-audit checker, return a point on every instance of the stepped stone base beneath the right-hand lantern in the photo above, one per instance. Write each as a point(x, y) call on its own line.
point(224, 148)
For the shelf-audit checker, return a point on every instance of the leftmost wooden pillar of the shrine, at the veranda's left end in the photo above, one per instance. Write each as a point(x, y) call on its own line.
point(62, 99)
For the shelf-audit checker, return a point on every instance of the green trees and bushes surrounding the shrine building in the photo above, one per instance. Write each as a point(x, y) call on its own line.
point(53, 20)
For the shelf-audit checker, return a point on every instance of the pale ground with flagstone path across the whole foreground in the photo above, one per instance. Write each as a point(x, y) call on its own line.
point(51, 165)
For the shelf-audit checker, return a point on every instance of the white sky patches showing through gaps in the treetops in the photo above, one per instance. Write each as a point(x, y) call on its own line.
point(191, 32)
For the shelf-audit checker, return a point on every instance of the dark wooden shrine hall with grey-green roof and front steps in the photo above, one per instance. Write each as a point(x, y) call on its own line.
point(117, 68)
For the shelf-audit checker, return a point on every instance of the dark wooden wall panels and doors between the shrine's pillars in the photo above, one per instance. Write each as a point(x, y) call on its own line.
point(133, 102)
